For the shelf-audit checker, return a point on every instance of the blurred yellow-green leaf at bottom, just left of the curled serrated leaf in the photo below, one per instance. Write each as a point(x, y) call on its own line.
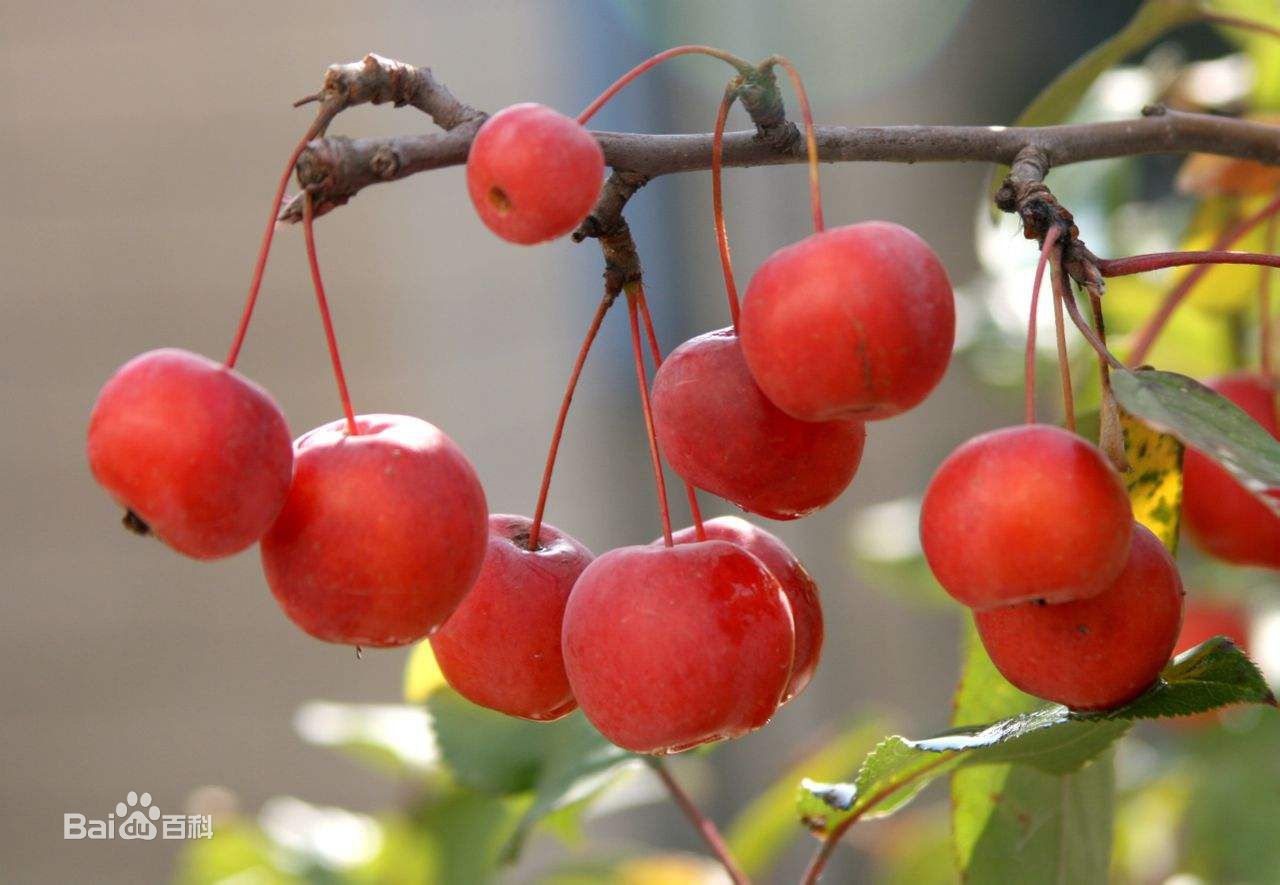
point(765, 828)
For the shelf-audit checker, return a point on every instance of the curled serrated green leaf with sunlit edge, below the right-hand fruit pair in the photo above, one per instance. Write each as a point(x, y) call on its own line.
point(1052, 740)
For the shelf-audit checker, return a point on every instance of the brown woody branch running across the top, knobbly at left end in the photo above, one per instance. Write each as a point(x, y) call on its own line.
point(336, 168)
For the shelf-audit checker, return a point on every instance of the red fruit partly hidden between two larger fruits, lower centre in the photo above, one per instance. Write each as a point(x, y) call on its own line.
point(501, 649)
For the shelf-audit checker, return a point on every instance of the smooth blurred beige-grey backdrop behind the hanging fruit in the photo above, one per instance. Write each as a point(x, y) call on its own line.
point(140, 148)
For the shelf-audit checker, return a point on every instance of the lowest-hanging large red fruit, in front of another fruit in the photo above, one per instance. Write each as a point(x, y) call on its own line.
point(674, 647)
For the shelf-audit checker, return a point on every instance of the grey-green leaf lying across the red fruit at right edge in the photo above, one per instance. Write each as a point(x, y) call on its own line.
point(1206, 422)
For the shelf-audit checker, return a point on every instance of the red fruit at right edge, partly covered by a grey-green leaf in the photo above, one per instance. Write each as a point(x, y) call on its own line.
point(1222, 517)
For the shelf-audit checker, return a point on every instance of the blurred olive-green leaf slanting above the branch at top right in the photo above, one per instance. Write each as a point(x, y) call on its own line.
point(1058, 101)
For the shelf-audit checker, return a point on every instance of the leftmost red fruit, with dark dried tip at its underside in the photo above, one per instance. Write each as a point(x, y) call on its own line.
point(194, 450)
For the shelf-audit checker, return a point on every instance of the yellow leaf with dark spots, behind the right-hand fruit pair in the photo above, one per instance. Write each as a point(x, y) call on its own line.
point(1154, 480)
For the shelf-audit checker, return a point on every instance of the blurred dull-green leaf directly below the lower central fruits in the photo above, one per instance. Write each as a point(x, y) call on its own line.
point(560, 764)
